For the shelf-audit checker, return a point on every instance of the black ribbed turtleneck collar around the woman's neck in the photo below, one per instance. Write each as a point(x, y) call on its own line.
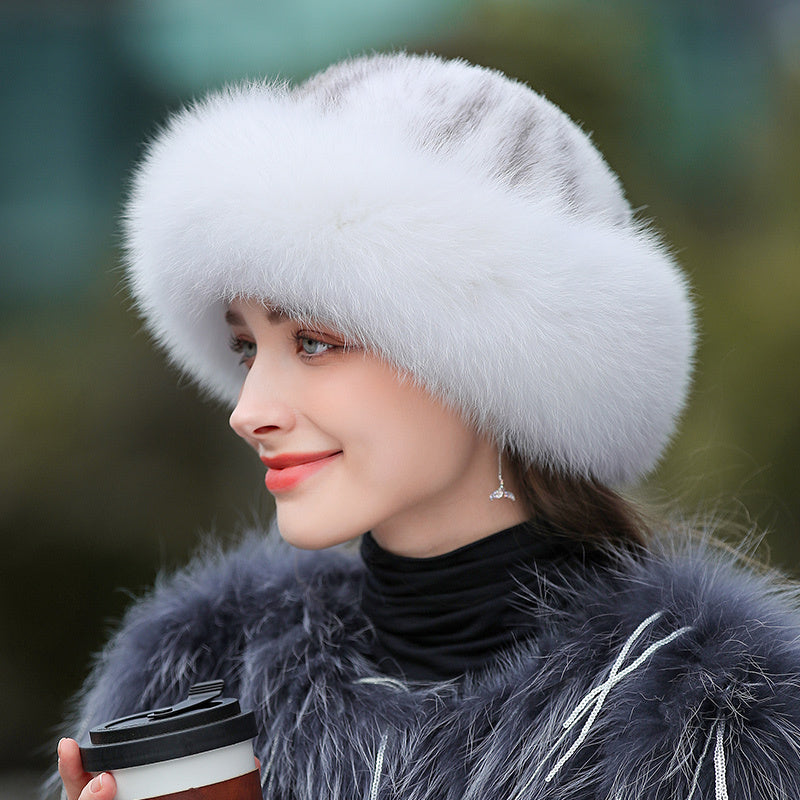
point(438, 618)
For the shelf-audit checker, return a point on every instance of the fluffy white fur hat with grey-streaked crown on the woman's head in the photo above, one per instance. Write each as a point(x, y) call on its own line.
point(441, 215)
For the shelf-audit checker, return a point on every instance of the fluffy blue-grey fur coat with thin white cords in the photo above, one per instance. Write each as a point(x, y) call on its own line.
point(710, 700)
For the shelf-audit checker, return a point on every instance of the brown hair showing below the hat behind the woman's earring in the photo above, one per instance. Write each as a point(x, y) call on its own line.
point(581, 507)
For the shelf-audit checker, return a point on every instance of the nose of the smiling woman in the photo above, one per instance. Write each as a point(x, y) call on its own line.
point(261, 410)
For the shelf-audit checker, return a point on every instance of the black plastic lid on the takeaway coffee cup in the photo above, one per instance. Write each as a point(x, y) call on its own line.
point(204, 721)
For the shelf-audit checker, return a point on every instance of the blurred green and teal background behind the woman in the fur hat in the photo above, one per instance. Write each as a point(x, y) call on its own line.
point(111, 470)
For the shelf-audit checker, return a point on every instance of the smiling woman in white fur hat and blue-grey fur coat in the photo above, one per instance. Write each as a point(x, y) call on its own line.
point(443, 331)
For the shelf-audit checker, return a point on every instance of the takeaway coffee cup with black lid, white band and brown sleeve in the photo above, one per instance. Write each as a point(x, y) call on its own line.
point(198, 749)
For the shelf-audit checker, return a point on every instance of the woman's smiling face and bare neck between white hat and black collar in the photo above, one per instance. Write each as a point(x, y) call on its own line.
point(351, 446)
